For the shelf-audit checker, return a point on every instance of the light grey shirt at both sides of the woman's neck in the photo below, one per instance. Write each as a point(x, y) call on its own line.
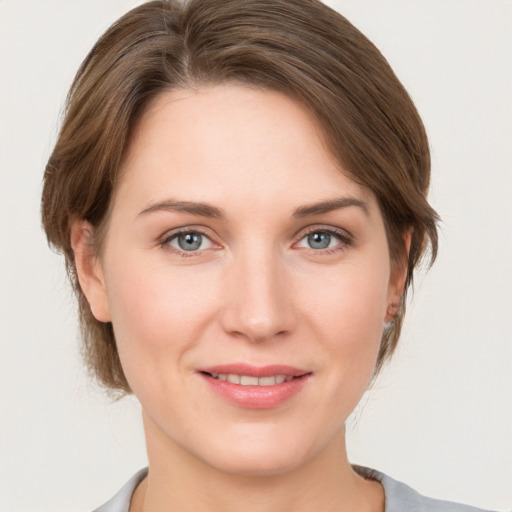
point(399, 497)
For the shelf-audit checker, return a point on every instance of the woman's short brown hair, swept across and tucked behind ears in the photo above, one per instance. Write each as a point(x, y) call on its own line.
point(301, 48)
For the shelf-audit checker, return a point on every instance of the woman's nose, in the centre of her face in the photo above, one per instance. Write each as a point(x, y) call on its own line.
point(258, 303)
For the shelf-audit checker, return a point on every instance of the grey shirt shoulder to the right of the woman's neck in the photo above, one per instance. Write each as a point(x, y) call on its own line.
point(402, 498)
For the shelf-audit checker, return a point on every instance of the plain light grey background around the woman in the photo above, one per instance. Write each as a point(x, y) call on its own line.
point(440, 418)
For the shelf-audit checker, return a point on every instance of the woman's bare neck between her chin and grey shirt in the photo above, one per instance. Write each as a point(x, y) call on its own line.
point(178, 480)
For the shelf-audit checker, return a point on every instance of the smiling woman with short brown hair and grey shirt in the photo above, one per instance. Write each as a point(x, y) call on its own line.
point(239, 189)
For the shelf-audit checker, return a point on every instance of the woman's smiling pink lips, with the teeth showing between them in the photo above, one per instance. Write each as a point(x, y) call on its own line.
point(255, 387)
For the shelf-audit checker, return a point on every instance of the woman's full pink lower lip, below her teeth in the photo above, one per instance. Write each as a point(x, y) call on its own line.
point(256, 397)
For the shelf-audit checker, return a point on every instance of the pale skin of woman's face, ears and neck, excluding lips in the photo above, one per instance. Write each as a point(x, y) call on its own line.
point(289, 265)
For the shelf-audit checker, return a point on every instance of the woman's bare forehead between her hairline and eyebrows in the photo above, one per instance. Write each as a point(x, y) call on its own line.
point(230, 142)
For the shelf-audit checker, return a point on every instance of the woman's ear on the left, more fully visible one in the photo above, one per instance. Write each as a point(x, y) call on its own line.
point(89, 271)
